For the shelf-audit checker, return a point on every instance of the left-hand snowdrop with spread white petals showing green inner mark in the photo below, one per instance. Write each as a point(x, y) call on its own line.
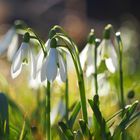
point(23, 56)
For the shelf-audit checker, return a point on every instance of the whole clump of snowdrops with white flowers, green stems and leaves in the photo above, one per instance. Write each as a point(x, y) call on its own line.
point(48, 61)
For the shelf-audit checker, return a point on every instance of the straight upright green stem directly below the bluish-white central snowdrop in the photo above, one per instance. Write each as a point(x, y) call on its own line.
point(48, 111)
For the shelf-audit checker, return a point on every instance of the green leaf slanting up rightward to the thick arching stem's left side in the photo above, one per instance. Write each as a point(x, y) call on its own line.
point(74, 114)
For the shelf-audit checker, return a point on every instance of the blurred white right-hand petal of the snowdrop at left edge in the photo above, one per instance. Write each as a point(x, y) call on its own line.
point(12, 47)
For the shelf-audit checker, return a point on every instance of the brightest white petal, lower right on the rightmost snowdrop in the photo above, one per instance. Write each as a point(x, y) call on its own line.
point(109, 65)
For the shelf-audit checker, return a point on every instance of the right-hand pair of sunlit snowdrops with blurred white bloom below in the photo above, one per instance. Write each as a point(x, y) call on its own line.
point(105, 53)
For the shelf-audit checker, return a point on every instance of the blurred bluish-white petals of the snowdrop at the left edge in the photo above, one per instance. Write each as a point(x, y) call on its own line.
point(10, 43)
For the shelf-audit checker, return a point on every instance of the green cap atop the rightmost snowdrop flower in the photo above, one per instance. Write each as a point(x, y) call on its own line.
point(107, 31)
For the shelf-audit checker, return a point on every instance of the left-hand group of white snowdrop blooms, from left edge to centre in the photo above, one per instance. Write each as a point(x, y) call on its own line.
point(43, 66)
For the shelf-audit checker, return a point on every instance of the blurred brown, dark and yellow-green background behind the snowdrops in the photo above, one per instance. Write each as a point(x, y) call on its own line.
point(77, 17)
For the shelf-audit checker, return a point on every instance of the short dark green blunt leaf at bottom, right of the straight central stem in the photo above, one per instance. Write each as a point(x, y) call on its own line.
point(66, 131)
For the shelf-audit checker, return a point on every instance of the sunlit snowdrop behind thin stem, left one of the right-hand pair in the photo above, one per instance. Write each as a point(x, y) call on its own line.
point(87, 56)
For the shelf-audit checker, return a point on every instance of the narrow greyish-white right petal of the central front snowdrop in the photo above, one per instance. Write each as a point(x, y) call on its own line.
point(62, 68)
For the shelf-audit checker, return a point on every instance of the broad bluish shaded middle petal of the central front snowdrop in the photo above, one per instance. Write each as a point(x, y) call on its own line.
point(51, 69)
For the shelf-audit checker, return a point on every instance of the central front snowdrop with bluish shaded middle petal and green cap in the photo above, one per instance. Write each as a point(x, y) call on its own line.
point(53, 63)
